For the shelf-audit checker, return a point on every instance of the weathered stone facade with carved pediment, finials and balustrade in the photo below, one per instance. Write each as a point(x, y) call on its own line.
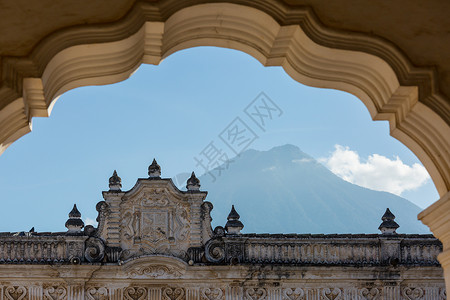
point(156, 242)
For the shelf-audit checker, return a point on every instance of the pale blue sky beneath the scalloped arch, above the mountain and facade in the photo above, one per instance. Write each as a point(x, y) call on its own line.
point(172, 112)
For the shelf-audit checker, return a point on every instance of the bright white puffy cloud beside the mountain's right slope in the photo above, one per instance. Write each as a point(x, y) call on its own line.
point(378, 172)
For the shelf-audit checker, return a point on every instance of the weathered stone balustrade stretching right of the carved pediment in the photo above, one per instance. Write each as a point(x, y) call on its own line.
point(334, 249)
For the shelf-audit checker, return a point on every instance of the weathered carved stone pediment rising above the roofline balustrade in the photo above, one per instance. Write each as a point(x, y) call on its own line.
point(154, 218)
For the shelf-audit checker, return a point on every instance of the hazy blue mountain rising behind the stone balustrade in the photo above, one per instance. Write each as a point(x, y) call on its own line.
point(284, 190)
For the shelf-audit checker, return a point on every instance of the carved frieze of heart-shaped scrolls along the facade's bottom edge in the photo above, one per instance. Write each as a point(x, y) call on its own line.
point(219, 292)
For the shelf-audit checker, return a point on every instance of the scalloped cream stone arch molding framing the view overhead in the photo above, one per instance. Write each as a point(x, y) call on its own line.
point(270, 32)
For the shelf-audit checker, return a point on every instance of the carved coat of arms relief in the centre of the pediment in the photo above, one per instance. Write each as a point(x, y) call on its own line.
point(155, 221)
